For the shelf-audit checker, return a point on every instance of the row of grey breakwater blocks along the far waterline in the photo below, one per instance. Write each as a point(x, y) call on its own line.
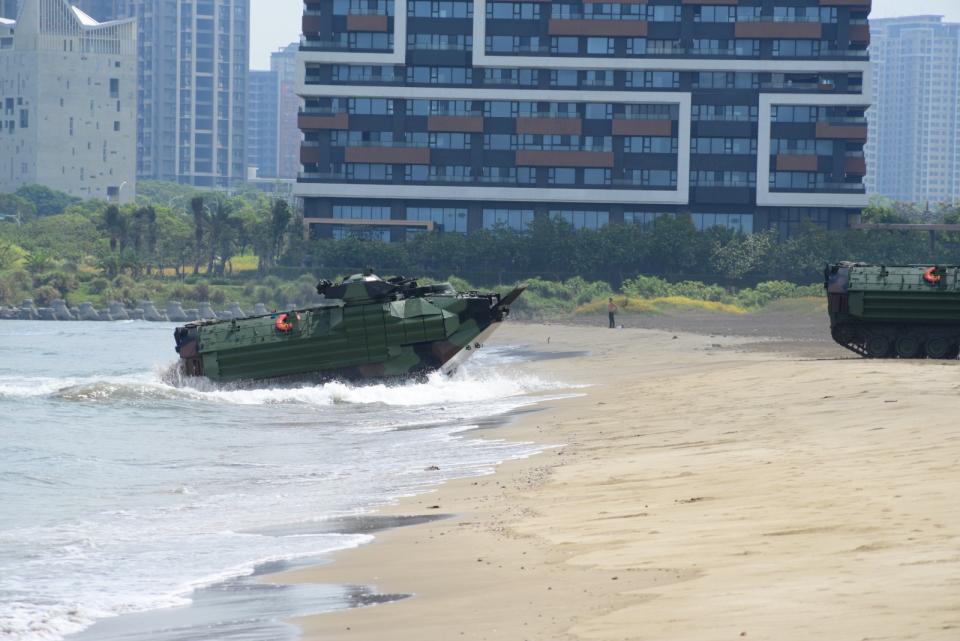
point(173, 312)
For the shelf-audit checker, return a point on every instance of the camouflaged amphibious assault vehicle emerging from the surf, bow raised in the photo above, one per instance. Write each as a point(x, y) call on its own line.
point(365, 327)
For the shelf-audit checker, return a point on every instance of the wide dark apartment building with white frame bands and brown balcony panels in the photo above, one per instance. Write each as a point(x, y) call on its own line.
point(471, 114)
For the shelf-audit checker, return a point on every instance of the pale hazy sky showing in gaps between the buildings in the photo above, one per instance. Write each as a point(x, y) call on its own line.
point(276, 23)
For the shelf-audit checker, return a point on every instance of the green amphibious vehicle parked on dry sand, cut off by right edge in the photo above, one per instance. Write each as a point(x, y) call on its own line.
point(884, 311)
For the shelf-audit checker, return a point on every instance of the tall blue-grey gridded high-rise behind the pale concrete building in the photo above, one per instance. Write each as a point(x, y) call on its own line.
point(193, 62)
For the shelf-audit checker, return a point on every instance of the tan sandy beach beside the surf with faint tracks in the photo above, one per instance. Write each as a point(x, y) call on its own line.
point(702, 487)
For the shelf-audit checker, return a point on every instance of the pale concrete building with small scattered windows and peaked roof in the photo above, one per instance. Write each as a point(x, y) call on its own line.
point(68, 100)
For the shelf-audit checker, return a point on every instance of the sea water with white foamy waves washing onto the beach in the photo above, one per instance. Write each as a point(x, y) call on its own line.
point(122, 492)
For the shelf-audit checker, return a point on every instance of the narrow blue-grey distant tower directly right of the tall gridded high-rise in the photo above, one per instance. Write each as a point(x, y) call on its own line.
point(263, 103)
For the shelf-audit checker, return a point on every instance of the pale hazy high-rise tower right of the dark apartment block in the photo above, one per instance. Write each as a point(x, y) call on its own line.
point(914, 147)
